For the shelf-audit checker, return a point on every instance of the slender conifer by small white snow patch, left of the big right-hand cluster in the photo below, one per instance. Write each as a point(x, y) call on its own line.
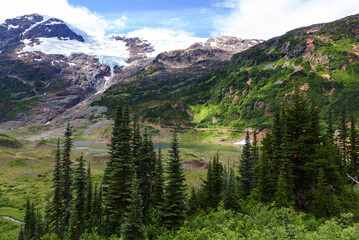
point(246, 170)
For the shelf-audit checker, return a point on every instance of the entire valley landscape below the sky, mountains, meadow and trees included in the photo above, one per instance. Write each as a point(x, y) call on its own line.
point(258, 138)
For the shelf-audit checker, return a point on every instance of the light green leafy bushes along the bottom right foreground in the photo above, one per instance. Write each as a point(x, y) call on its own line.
point(265, 222)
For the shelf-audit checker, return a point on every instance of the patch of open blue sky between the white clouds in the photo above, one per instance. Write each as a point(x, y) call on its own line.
point(194, 16)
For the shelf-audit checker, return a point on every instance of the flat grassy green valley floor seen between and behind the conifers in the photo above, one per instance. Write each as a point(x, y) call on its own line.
point(27, 171)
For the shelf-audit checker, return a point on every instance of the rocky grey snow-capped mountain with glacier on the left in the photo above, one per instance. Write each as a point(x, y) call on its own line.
point(64, 66)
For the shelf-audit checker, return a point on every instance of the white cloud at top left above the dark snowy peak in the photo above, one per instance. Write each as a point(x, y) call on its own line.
point(80, 17)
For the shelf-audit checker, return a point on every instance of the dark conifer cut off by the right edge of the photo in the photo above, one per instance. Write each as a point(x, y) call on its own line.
point(353, 148)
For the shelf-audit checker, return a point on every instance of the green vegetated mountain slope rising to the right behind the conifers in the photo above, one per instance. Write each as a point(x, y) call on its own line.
point(322, 59)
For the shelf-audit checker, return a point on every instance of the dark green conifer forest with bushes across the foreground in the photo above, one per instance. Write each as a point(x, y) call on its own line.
point(300, 181)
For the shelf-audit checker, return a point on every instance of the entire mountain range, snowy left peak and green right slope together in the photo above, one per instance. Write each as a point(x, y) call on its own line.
point(50, 71)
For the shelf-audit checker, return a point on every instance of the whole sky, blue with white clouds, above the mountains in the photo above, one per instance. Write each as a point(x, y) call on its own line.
point(261, 19)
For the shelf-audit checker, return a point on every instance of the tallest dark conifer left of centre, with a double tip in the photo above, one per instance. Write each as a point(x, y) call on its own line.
point(119, 174)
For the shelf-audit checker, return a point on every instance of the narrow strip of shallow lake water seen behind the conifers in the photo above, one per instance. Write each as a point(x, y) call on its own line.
point(201, 148)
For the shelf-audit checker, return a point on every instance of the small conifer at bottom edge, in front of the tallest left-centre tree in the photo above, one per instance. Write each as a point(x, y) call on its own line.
point(133, 227)
